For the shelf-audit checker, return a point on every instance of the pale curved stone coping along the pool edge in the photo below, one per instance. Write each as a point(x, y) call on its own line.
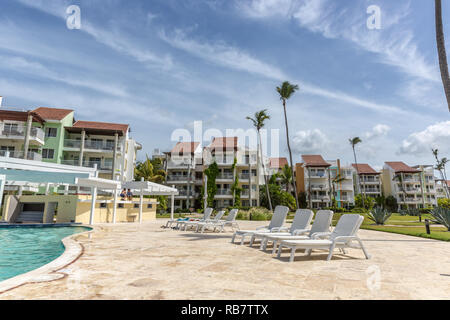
point(51, 271)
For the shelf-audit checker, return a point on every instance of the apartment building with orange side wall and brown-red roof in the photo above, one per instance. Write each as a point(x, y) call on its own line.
point(313, 176)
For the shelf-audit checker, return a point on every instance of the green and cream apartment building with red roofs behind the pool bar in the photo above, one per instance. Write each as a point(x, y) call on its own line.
point(53, 135)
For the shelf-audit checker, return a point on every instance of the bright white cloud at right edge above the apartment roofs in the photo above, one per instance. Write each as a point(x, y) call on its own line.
point(434, 136)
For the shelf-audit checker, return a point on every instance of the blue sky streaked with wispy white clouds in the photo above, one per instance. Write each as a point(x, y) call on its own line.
point(159, 65)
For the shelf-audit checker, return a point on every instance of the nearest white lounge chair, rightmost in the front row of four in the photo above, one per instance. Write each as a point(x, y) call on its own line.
point(342, 237)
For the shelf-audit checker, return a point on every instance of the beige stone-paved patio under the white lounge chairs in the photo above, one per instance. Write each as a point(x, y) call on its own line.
point(131, 261)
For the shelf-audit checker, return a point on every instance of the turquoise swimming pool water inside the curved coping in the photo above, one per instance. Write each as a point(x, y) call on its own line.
point(23, 249)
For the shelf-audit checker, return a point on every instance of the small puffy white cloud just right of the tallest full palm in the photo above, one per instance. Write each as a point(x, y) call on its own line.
point(309, 141)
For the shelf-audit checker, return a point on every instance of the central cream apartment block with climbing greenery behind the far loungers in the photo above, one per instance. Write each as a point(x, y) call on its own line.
point(186, 163)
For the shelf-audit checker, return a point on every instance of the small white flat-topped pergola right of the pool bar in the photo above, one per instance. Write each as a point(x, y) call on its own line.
point(146, 188)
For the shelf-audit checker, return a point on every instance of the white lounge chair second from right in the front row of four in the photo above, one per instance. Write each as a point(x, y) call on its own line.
point(321, 225)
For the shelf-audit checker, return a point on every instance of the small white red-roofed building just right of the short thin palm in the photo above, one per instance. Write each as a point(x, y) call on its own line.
point(367, 181)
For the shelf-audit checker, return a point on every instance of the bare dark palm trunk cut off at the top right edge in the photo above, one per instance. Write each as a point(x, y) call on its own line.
point(440, 39)
